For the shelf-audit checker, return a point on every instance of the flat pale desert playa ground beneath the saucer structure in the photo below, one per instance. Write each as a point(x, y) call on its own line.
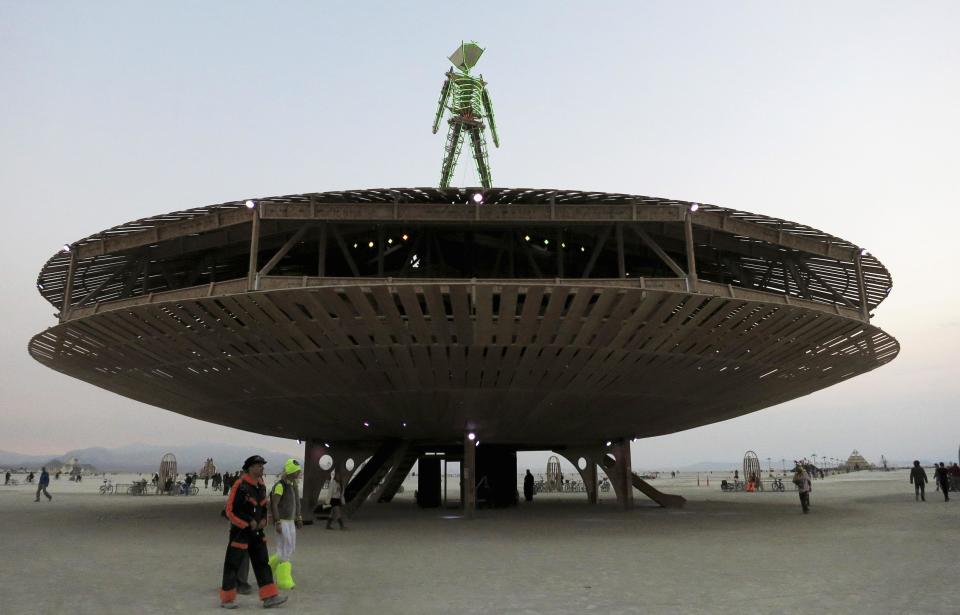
point(866, 547)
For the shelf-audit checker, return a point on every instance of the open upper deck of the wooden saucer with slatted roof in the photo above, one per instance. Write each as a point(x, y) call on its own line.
point(510, 234)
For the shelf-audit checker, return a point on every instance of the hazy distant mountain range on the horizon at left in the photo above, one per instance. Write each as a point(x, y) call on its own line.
point(146, 458)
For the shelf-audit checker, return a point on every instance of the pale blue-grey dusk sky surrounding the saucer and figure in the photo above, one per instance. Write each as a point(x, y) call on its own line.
point(842, 116)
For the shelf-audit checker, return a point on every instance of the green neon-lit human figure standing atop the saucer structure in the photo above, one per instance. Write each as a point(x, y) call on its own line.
point(469, 103)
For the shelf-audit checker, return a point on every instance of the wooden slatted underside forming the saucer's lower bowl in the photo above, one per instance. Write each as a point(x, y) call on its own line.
point(612, 383)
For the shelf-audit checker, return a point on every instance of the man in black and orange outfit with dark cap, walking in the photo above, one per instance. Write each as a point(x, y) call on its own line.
point(247, 511)
